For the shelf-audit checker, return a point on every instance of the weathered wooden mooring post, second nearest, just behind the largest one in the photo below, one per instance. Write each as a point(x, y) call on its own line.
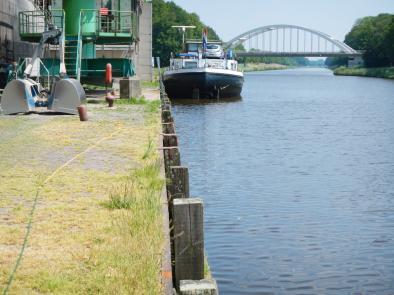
point(178, 186)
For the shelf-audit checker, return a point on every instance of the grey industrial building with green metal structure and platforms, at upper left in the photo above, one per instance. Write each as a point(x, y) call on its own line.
point(96, 32)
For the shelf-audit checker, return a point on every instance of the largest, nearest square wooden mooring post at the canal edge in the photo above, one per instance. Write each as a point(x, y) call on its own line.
point(188, 223)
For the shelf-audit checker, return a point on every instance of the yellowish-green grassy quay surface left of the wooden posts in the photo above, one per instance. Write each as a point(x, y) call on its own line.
point(97, 223)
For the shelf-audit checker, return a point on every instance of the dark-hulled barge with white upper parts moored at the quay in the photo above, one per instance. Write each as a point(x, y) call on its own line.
point(204, 71)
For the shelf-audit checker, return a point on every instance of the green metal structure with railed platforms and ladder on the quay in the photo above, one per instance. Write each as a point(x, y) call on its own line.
point(86, 23)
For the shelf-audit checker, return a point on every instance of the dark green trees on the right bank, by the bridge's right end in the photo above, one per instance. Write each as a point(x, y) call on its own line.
point(375, 36)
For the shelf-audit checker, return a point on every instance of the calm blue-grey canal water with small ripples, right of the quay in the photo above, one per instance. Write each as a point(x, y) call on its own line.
point(297, 180)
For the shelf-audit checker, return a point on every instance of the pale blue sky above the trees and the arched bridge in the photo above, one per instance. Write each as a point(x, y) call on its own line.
point(334, 17)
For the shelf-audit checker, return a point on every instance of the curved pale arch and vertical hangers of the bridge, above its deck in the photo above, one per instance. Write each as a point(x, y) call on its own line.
point(337, 47)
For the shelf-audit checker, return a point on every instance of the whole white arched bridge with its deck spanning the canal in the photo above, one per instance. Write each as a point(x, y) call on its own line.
point(289, 40)
